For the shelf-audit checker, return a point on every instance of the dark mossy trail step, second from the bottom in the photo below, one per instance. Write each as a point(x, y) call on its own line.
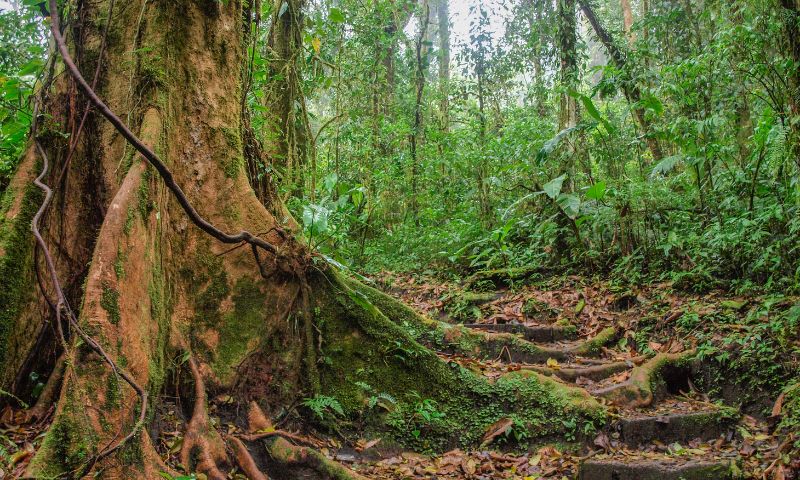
point(674, 427)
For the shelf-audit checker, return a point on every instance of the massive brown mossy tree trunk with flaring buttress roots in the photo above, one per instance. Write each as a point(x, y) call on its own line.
point(170, 303)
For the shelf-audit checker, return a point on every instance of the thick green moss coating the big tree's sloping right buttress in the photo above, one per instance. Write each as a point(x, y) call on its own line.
point(371, 348)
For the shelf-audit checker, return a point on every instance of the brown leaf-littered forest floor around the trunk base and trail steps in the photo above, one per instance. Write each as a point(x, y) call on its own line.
point(663, 439)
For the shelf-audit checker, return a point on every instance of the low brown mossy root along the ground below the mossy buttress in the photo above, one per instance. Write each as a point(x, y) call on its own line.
point(290, 455)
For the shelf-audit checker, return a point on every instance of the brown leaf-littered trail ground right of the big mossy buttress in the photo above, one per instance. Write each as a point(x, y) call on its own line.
point(650, 318)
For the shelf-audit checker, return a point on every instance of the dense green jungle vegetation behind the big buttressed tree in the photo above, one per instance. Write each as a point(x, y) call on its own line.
point(652, 139)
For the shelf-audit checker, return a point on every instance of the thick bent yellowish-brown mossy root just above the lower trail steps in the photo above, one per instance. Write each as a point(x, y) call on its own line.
point(639, 389)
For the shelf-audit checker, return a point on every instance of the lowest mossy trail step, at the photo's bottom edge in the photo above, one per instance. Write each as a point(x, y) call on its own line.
point(656, 468)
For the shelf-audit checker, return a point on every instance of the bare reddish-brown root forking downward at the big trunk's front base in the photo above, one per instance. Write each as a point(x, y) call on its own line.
point(200, 437)
